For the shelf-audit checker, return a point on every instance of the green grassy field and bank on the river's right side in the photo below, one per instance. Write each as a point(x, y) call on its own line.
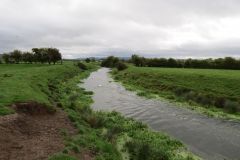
point(211, 91)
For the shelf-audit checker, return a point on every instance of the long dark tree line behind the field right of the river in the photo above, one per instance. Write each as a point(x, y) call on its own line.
point(219, 63)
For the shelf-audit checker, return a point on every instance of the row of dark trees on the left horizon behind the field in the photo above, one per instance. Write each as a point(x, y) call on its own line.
point(37, 55)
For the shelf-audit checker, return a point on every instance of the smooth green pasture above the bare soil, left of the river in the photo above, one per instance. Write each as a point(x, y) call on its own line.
point(30, 82)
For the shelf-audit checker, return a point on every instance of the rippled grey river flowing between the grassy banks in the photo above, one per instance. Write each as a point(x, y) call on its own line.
point(210, 138)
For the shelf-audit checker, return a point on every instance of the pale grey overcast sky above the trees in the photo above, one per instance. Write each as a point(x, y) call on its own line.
point(157, 28)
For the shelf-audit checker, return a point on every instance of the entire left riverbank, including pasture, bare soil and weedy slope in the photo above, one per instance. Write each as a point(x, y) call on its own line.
point(49, 97)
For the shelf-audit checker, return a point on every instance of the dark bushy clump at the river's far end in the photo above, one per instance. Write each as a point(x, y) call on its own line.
point(114, 62)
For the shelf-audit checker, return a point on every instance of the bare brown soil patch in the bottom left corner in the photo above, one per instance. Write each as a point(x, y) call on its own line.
point(33, 136)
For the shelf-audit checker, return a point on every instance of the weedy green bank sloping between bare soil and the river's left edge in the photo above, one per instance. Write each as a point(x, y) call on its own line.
point(107, 136)
